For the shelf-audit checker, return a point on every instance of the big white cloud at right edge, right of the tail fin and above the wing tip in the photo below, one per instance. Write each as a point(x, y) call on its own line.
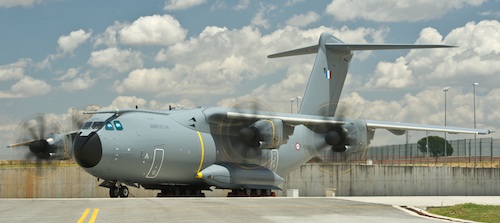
point(475, 59)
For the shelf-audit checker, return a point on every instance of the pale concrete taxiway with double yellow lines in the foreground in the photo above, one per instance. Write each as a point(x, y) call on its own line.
point(339, 209)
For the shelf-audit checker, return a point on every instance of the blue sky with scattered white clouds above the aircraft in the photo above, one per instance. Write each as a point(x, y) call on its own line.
point(62, 54)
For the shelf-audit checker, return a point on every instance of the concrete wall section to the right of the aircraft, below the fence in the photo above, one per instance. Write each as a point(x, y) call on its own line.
point(376, 180)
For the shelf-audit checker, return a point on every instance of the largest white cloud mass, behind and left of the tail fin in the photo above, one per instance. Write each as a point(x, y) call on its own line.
point(232, 56)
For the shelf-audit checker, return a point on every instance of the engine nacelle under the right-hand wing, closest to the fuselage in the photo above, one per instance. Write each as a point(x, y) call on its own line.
point(264, 134)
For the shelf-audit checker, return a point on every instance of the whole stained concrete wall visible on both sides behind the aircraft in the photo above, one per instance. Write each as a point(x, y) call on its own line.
point(311, 179)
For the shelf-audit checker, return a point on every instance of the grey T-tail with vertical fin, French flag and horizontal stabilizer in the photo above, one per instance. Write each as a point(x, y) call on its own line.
point(330, 69)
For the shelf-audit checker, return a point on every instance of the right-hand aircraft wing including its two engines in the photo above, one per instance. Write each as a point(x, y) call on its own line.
point(260, 129)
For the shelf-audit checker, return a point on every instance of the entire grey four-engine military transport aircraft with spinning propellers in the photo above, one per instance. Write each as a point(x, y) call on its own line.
point(183, 152)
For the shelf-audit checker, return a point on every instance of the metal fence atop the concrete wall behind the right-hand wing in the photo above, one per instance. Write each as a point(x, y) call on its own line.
point(480, 152)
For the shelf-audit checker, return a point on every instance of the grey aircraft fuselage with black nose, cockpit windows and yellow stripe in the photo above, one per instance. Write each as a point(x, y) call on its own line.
point(172, 147)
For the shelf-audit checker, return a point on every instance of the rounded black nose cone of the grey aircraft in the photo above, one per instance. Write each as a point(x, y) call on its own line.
point(87, 150)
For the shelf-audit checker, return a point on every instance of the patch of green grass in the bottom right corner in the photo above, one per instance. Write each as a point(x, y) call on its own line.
point(469, 211)
